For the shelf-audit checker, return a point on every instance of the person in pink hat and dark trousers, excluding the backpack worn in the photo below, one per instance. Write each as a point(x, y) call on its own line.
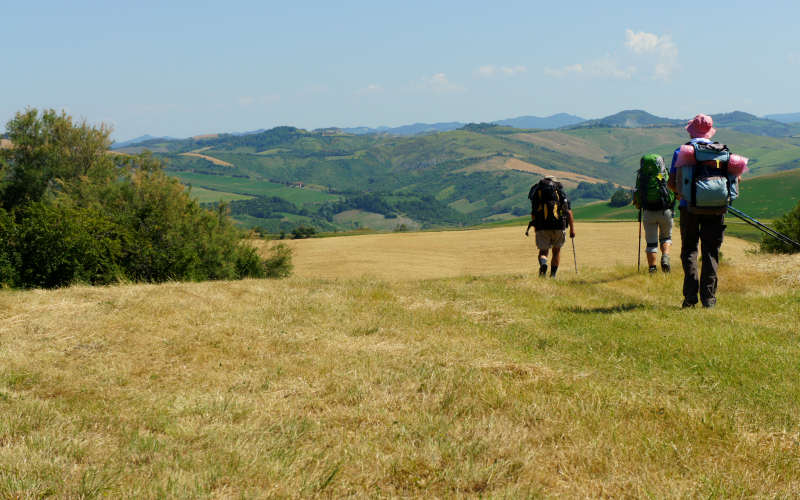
point(704, 228)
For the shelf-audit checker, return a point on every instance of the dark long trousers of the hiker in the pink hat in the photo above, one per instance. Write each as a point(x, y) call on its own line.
point(708, 230)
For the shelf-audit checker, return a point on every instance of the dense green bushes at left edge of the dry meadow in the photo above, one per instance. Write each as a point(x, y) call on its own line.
point(71, 212)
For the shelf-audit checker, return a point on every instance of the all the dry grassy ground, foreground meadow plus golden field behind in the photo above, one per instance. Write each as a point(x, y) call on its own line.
point(427, 365)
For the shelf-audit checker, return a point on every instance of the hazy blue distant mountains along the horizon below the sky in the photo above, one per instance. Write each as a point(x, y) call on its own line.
point(776, 125)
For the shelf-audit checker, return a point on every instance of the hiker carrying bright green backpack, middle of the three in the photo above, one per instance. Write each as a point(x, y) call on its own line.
point(656, 204)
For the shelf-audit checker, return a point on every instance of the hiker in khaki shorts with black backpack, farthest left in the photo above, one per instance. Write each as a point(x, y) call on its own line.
point(550, 214)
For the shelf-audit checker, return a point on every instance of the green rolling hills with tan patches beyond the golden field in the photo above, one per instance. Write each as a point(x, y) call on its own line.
point(469, 176)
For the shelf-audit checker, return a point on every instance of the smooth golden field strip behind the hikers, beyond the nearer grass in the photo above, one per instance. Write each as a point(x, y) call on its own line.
point(485, 252)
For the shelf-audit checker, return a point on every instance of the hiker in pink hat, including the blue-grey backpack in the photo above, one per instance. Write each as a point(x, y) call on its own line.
point(700, 178)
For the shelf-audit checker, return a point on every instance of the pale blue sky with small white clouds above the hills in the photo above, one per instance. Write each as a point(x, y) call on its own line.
point(184, 68)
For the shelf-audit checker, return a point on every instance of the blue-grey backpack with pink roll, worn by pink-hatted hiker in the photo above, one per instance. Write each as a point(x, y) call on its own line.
point(707, 186)
